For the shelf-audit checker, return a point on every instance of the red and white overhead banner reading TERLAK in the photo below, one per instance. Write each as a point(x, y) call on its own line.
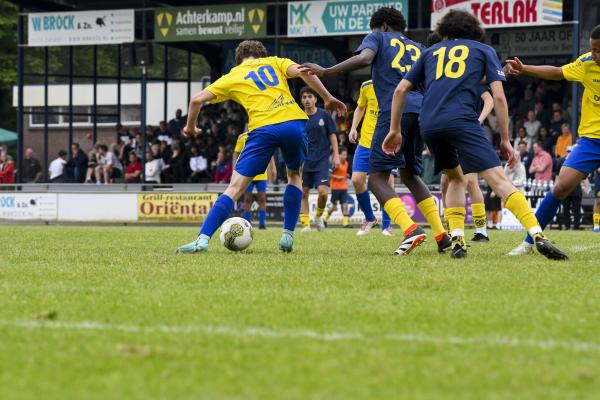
point(503, 13)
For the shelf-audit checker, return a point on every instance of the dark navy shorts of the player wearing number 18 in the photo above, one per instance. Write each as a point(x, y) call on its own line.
point(464, 146)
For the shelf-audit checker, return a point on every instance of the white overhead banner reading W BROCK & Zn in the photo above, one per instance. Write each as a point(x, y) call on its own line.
point(81, 28)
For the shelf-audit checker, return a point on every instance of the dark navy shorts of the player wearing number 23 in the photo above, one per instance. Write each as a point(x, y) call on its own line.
point(409, 157)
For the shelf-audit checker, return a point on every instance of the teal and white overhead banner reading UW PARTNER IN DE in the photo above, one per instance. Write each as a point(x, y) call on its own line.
point(322, 18)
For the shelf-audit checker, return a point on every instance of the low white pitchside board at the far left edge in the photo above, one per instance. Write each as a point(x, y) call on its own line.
point(28, 206)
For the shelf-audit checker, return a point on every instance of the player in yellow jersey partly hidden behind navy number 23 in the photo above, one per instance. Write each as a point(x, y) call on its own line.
point(367, 110)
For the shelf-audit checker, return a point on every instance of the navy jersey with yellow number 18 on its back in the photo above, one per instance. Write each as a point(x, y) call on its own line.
point(452, 71)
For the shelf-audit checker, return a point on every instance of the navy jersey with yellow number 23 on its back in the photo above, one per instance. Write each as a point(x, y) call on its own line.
point(394, 56)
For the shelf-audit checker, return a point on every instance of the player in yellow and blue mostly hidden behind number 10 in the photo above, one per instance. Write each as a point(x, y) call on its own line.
point(259, 182)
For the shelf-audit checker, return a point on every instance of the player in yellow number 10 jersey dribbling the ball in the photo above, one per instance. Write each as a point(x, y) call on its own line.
point(259, 84)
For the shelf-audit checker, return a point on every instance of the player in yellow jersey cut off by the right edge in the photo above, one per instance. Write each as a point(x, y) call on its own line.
point(585, 157)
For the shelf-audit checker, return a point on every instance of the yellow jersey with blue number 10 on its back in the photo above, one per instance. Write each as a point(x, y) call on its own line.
point(260, 86)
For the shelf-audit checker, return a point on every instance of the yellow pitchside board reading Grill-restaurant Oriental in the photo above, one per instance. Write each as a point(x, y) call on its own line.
point(175, 207)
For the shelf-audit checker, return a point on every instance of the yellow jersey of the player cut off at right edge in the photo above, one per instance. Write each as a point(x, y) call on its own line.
point(587, 72)
